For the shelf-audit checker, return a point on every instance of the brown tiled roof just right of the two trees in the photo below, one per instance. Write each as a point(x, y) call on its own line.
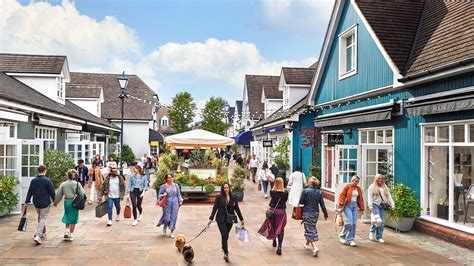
point(255, 85)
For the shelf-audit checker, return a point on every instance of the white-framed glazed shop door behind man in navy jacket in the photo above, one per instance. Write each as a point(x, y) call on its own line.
point(31, 158)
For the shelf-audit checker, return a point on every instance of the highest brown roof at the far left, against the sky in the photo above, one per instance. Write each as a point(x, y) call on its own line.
point(40, 64)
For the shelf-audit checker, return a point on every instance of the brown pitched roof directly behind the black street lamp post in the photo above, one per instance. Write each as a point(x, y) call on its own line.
point(133, 109)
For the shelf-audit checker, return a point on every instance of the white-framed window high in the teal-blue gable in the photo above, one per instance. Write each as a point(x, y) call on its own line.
point(348, 53)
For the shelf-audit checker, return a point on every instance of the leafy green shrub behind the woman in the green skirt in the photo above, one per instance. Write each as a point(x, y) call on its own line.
point(57, 164)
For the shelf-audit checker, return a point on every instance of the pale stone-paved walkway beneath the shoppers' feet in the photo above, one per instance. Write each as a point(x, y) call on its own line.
point(123, 244)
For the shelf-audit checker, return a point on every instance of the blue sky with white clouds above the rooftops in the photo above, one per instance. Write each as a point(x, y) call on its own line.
point(204, 47)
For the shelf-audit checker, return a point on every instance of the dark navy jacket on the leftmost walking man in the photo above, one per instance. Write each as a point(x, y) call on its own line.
point(42, 190)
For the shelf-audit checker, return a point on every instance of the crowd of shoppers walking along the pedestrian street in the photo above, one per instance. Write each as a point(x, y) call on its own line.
point(298, 192)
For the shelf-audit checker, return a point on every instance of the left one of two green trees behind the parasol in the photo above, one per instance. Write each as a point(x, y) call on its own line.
point(181, 112)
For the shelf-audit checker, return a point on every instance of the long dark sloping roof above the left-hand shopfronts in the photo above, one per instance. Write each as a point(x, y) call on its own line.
point(16, 91)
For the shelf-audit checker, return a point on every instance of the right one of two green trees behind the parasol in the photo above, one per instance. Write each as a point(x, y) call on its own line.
point(213, 116)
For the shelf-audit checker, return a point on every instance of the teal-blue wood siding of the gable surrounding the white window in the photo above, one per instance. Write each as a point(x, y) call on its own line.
point(372, 69)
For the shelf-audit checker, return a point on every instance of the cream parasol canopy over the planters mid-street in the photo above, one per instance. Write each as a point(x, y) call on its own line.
point(198, 138)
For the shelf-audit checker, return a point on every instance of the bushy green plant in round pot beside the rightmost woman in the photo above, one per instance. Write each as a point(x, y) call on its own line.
point(402, 217)
